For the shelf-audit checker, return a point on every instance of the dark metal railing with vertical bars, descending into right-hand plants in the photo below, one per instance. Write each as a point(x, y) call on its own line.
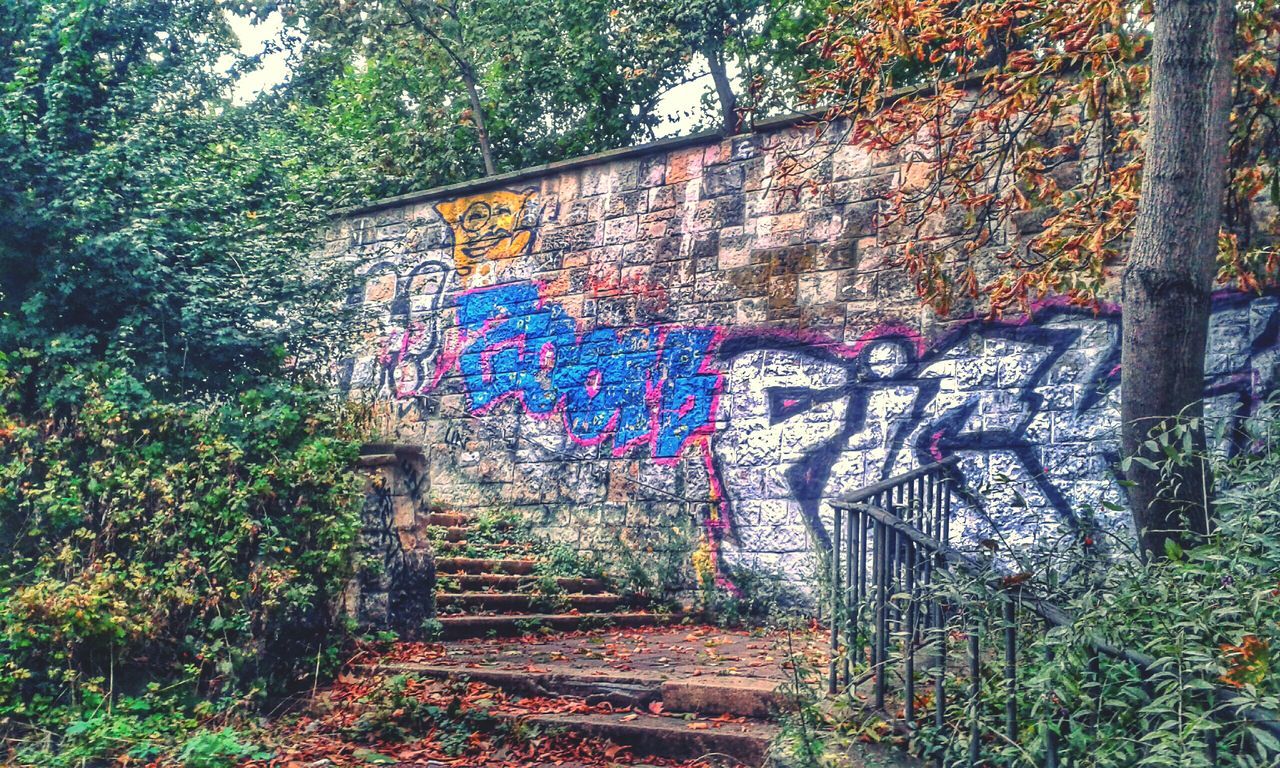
point(888, 555)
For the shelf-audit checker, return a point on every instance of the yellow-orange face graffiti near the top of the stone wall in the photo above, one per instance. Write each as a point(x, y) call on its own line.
point(488, 228)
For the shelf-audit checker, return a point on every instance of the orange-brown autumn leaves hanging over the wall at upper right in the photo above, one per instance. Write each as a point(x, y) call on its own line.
point(1022, 127)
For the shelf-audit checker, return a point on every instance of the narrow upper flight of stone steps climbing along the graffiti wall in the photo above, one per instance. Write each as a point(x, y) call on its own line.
point(496, 580)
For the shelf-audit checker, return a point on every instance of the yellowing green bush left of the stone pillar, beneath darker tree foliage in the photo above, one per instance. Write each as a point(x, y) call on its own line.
point(162, 555)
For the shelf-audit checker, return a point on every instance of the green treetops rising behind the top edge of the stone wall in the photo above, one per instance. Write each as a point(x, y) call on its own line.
point(423, 90)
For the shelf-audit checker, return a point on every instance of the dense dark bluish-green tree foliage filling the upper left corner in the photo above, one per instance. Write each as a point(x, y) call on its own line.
point(144, 220)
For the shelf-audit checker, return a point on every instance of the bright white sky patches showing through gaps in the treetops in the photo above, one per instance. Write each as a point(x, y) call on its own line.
point(682, 102)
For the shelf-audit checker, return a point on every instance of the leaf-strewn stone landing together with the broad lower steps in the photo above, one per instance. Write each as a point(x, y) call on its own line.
point(697, 694)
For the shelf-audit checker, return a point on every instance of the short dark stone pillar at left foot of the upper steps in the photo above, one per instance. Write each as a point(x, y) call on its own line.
point(395, 587)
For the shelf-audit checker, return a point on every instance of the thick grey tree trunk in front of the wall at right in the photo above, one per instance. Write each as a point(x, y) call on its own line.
point(1168, 284)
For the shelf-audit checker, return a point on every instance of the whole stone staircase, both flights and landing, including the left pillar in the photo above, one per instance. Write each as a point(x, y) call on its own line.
point(554, 644)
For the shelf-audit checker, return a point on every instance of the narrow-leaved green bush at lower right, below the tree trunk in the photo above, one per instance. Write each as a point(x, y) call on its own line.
point(1209, 616)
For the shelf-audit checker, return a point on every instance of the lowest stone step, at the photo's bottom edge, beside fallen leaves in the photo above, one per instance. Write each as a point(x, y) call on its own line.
point(669, 738)
